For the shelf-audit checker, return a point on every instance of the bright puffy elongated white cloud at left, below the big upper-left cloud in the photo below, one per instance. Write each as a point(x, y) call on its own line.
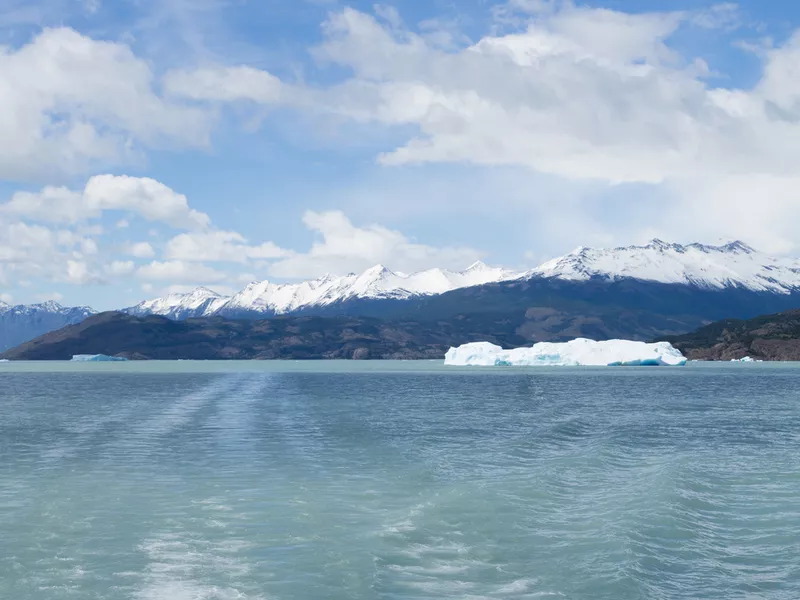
point(146, 197)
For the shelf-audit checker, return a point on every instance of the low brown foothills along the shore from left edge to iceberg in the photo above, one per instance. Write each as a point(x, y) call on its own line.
point(155, 337)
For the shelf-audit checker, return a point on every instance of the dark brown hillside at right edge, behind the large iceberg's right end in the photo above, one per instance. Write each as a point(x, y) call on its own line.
point(767, 337)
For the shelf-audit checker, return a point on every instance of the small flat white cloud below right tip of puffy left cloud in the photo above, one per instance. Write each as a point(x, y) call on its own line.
point(219, 246)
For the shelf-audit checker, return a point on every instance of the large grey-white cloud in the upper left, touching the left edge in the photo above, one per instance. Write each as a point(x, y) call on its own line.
point(68, 102)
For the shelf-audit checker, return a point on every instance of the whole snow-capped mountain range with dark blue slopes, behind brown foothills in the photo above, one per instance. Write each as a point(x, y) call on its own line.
point(635, 292)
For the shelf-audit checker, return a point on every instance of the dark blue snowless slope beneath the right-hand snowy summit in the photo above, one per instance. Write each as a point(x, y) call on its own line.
point(551, 309)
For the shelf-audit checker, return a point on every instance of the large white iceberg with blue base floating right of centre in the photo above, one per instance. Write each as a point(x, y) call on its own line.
point(578, 352)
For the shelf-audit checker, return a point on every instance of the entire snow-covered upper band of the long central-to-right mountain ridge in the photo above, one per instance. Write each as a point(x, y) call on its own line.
point(733, 265)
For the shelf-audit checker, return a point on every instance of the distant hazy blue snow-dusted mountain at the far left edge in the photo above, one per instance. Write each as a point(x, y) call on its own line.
point(21, 323)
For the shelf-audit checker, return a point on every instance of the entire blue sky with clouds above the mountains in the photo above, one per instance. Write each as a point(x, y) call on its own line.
point(152, 146)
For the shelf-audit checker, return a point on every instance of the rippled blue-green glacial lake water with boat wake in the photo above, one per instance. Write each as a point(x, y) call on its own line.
point(314, 481)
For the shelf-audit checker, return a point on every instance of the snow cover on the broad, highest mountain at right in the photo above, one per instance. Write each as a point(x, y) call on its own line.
point(712, 267)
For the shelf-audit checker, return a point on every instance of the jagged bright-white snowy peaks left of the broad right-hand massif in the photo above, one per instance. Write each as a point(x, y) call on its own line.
point(267, 298)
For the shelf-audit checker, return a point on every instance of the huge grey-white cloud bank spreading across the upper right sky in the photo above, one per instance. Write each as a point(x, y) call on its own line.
point(576, 92)
